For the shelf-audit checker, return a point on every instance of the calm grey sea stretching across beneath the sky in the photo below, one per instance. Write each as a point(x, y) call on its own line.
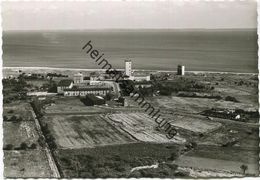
point(198, 50)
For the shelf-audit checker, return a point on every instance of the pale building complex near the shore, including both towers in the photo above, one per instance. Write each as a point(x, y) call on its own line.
point(82, 86)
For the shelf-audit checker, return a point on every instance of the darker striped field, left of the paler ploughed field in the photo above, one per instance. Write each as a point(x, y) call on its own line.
point(79, 131)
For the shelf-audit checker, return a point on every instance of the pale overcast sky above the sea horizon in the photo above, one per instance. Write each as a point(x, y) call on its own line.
point(179, 14)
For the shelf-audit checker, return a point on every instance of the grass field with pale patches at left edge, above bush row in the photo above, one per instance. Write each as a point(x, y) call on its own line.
point(16, 133)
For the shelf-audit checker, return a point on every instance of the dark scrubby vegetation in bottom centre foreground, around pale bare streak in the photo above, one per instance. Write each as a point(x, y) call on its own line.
point(118, 161)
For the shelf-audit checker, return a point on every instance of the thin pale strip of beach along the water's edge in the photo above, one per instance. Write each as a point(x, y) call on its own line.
point(144, 70)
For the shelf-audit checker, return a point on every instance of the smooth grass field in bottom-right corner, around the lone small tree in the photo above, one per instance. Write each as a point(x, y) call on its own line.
point(217, 158)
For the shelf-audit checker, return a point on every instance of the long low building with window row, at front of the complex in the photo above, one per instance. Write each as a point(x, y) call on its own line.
point(102, 91)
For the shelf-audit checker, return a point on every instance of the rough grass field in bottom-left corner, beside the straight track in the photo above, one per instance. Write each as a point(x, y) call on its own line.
point(29, 163)
